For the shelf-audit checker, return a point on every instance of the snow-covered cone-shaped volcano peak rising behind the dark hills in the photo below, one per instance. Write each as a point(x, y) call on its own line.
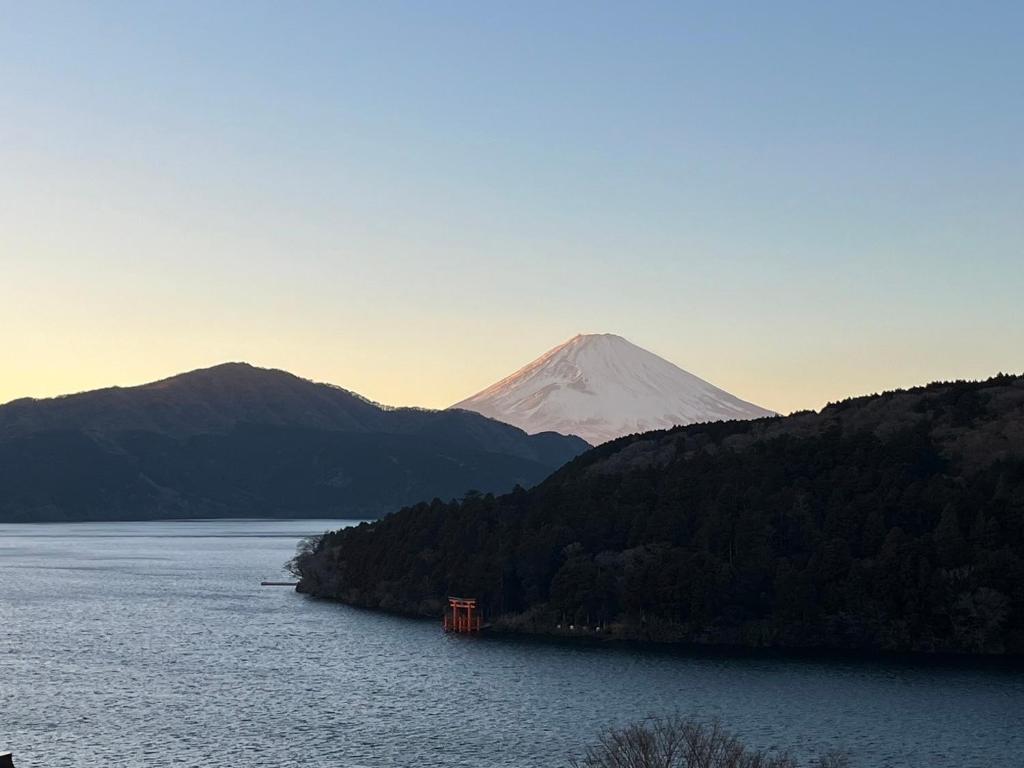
point(601, 388)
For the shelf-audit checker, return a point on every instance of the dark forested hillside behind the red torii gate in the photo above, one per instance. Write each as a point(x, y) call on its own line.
point(892, 523)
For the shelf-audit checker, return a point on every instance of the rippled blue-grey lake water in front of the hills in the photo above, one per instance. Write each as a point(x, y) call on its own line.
point(153, 645)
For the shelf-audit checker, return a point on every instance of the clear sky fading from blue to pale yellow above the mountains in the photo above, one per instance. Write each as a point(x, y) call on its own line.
point(797, 202)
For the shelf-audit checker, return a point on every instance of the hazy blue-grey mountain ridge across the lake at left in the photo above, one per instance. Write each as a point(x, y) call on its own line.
point(238, 441)
